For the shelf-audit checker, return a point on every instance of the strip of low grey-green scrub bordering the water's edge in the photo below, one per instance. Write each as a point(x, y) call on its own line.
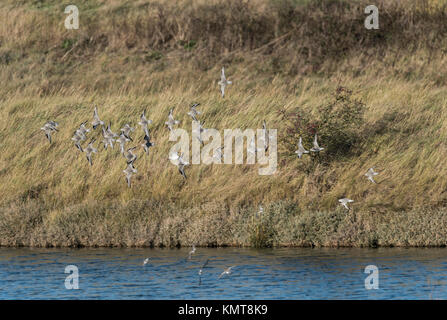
point(145, 224)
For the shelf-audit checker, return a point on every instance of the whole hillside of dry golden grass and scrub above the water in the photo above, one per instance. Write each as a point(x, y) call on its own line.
point(285, 58)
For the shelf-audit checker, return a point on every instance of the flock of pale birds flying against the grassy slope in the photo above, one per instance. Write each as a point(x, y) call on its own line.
point(109, 137)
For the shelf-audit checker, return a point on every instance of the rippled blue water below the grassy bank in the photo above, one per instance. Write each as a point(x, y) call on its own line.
point(299, 273)
